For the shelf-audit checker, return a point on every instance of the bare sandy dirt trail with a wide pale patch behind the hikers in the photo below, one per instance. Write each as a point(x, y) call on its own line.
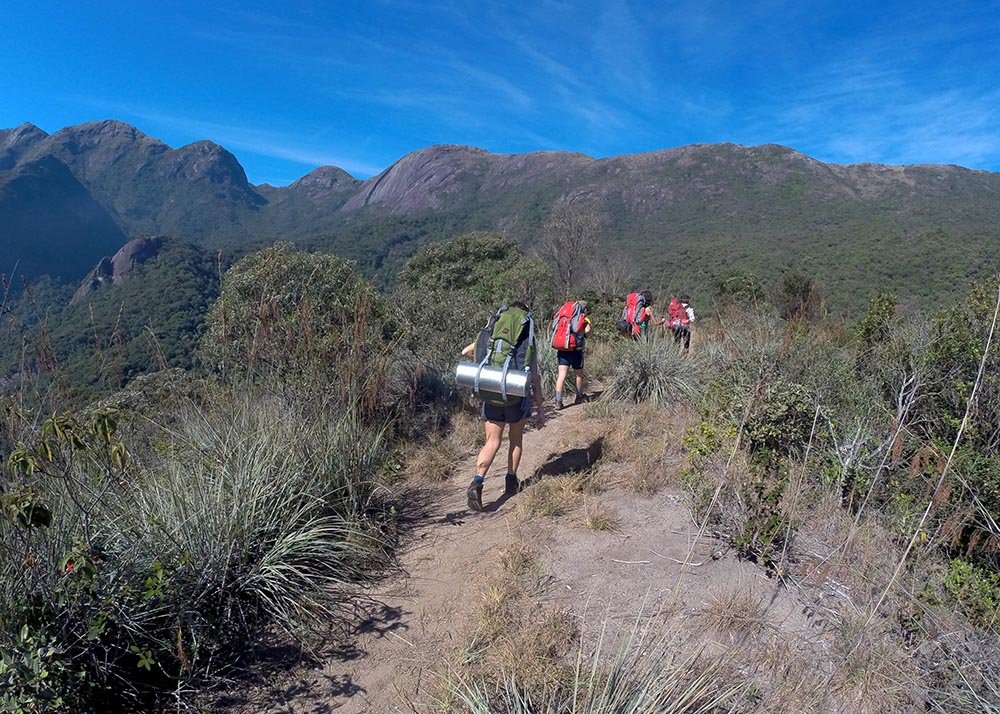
point(447, 550)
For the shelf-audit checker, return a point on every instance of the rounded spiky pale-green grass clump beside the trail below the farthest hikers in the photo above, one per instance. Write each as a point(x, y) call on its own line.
point(650, 370)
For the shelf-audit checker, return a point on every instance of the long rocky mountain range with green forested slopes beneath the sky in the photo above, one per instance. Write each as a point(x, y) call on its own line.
point(680, 217)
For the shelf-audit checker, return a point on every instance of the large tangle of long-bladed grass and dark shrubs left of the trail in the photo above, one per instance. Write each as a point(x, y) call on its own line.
point(127, 574)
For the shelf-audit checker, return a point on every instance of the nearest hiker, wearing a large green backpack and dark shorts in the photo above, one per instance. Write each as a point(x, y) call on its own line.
point(507, 341)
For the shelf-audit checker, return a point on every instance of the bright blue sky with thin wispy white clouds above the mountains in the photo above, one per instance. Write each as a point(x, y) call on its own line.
point(289, 86)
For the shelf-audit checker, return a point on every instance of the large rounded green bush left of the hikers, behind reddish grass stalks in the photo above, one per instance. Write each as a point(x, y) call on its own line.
point(304, 319)
